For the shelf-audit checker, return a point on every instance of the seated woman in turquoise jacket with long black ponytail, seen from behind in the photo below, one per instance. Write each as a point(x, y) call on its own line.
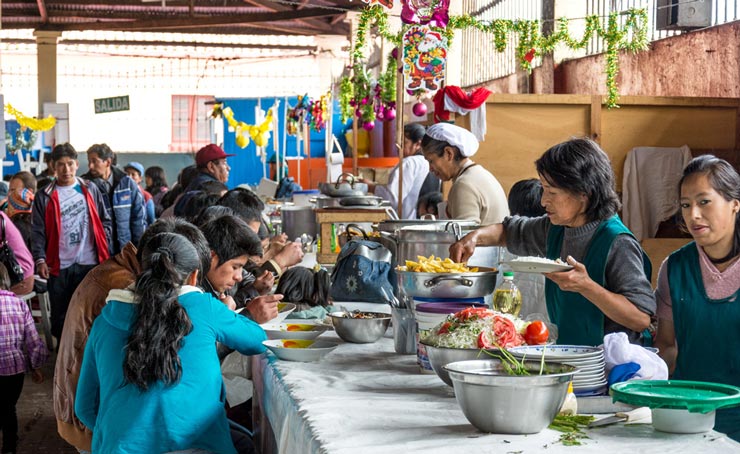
point(150, 379)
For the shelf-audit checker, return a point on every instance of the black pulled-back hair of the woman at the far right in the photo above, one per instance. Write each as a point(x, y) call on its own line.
point(726, 181)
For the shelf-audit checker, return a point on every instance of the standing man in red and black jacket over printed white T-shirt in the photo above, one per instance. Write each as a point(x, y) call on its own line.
point(70, 232)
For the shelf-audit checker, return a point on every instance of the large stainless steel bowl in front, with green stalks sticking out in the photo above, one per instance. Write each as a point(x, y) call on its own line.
point(496, 402)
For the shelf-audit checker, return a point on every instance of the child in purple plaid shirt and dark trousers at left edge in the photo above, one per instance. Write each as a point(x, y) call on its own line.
point(20, 345)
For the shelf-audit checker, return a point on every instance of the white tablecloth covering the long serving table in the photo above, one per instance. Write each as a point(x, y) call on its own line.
point(365, 398)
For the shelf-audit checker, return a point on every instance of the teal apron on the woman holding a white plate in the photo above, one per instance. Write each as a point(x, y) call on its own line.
point(578, 320)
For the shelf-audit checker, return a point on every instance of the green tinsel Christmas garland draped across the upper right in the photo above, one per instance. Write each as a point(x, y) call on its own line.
point(531, 43)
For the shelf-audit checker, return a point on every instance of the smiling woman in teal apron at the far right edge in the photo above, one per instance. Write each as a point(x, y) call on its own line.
point(698, 290)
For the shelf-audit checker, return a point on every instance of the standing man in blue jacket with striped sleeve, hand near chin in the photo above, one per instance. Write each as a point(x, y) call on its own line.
point(124, 201)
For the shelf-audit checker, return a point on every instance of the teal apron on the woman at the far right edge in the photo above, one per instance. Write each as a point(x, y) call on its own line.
point(707, 332)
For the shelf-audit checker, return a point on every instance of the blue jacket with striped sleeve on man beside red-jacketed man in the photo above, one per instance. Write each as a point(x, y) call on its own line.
point(125, 203)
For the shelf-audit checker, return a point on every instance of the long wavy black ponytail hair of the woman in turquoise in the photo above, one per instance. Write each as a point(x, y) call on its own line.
point(161, 322)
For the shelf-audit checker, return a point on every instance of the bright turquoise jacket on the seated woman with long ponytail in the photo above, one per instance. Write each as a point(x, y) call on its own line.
point(188, 414)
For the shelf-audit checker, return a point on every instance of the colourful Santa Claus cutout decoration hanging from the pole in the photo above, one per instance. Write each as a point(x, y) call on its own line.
point(424, 59)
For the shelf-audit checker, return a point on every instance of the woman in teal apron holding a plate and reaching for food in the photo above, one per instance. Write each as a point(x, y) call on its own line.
point(608, 290)
